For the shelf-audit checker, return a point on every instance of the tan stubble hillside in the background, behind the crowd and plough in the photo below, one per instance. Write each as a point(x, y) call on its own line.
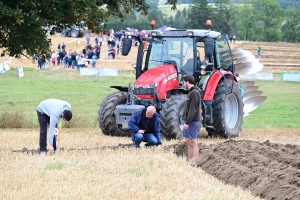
point(276, 57)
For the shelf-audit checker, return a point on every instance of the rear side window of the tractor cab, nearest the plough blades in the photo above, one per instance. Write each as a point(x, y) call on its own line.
point(224, 53)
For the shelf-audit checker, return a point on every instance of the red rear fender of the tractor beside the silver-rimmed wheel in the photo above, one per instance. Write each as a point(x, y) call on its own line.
point(213, 83)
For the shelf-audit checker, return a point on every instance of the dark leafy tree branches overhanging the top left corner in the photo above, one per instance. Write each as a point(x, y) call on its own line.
point(21, 20)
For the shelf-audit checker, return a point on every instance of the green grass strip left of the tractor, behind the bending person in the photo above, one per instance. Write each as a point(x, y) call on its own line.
point(83, 93)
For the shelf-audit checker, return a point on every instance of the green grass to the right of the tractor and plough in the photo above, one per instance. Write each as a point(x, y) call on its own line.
point(280, 110)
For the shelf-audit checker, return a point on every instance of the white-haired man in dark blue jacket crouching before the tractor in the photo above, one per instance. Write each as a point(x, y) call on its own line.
point(145, 127)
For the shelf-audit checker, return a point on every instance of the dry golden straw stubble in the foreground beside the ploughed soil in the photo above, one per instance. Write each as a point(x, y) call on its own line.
point(125, 173)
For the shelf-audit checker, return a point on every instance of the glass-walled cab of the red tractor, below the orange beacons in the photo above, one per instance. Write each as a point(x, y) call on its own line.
point(194, 52)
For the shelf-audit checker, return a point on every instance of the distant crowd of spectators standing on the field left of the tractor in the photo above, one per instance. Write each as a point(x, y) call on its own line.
point(91, 53)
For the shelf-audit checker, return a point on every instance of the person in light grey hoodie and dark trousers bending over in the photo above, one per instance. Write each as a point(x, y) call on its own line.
point(49, 112)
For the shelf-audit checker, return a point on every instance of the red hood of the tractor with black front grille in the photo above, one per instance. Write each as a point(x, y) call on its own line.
point(160, 79)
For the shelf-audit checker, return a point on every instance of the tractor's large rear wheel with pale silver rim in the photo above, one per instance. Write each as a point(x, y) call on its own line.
point(227, 111)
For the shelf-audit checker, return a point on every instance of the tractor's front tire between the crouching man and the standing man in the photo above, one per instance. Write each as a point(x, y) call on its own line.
point(171, 117)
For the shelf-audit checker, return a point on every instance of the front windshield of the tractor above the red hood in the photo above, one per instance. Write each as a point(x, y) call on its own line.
point(176, 49)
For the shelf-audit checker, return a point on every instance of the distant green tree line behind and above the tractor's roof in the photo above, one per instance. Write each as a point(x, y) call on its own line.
point(253, 20)
